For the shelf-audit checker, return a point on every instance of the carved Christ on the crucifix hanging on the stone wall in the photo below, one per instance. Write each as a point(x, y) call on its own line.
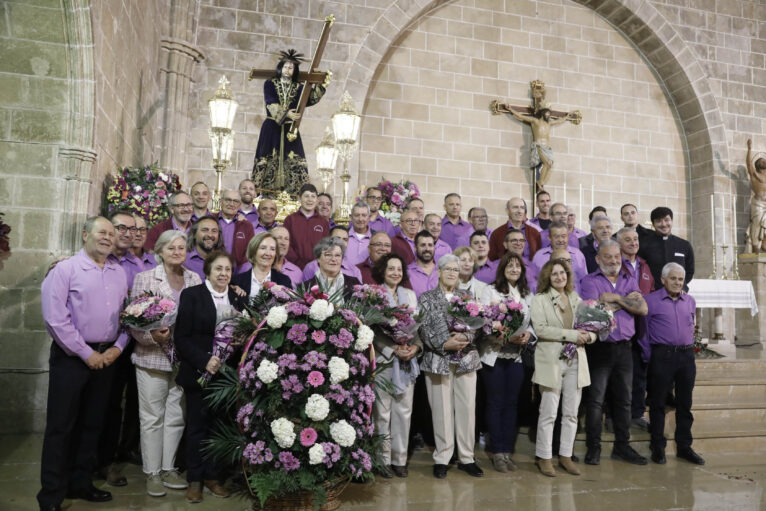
point(540, 118)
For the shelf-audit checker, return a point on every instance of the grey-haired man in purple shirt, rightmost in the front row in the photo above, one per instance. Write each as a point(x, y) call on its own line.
point(668, 344)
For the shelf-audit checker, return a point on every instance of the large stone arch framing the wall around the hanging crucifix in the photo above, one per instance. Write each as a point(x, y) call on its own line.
point(674, 63)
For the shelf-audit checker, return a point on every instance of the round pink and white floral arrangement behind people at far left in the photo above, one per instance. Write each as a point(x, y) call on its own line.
point(143, 190)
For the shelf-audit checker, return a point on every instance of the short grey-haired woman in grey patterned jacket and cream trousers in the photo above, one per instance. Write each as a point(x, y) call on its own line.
point(450, 373)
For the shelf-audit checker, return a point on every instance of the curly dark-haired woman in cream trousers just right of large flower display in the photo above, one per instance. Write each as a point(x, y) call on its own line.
point(393, 412)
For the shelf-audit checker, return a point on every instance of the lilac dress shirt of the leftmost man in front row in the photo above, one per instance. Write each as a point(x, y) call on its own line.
point(81, 304)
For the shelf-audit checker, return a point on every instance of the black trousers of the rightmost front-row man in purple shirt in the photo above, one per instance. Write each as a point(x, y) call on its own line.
point(671, 369)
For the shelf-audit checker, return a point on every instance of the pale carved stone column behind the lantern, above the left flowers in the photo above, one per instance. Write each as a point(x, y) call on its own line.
point(180, 56)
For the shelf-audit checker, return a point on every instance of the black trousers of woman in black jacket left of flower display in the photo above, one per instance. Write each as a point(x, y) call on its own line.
point(198, 425)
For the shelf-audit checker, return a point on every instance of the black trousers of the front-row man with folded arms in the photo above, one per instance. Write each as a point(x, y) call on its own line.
point(610, 364)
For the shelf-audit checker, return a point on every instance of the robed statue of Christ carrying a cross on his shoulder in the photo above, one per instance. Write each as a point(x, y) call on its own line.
point(280, 161)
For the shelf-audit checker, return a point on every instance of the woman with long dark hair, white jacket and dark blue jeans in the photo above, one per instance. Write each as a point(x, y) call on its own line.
point(502, 370)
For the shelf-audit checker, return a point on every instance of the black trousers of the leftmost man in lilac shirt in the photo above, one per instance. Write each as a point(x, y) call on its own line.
point(77, 401)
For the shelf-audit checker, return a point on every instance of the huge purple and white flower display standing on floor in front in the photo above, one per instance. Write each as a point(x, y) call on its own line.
point(303, 403)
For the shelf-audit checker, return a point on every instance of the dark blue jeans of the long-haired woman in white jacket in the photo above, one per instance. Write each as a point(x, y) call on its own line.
point(502, 385)
